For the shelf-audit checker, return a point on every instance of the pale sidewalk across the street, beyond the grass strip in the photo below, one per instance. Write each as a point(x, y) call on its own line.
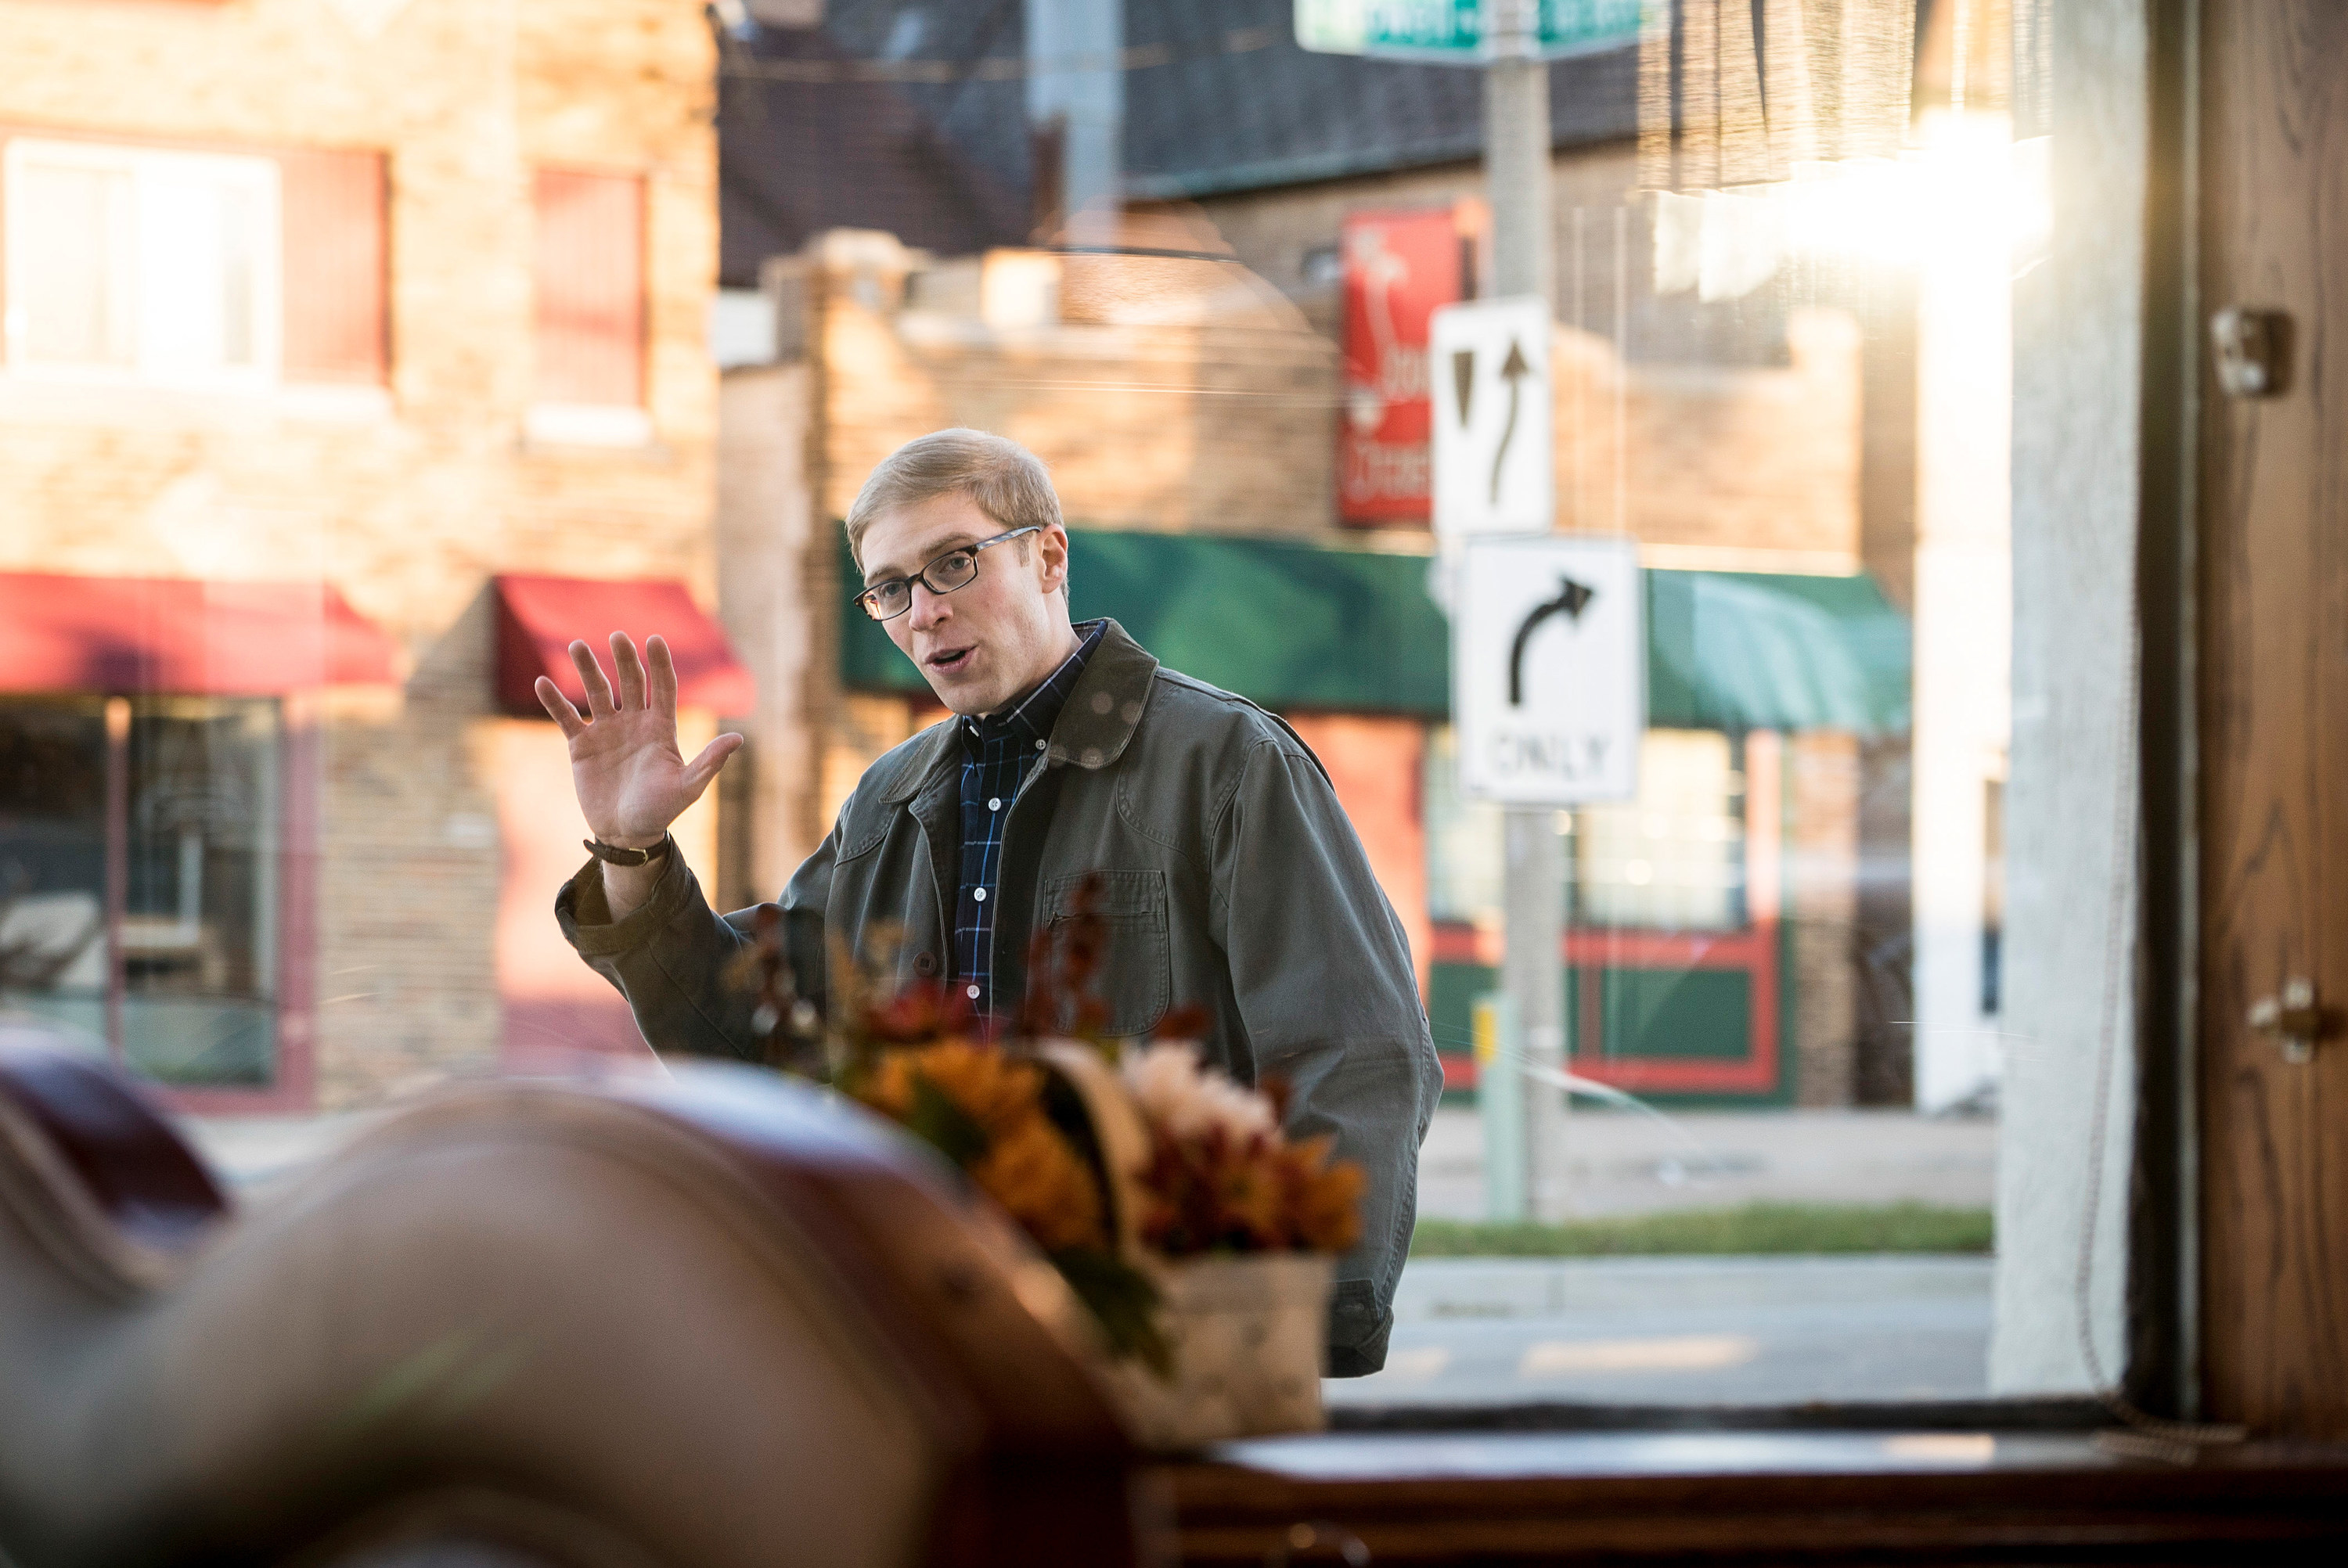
point(1628, 1163)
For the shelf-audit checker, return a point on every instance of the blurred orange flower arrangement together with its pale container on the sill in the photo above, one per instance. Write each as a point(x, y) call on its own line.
point(1196, 1231)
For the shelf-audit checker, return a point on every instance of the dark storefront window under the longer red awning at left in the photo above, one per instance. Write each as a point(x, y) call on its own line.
point(140, 879)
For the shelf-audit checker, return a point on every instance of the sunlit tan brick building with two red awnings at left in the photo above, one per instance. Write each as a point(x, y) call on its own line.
point(344, 339)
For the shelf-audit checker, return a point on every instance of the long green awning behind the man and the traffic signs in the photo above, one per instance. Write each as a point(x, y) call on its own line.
point(1307, 628)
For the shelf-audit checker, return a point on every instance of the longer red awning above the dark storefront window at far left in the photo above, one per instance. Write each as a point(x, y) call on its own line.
point(182, 635)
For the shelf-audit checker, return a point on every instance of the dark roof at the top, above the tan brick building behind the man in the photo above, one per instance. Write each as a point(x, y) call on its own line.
point(912, 119)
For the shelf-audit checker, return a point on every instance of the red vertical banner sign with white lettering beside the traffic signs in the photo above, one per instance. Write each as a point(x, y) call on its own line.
point(1398, 269)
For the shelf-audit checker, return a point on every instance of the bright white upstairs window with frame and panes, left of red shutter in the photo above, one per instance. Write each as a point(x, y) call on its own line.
point(142, 264)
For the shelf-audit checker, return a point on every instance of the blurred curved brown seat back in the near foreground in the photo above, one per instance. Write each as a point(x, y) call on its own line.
point(701, 1320)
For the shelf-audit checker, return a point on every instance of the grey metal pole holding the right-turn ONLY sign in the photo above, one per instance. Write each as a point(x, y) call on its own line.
point(1534, 872)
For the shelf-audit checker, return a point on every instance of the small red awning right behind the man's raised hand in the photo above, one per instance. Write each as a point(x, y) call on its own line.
point(541, 616)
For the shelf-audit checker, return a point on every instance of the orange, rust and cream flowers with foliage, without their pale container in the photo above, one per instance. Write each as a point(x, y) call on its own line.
point(1208, 1175)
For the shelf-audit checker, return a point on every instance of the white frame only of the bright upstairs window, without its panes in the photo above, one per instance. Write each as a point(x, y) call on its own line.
point(147, 165)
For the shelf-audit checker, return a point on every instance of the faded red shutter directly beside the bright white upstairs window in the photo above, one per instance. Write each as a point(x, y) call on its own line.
point(332, 208)
